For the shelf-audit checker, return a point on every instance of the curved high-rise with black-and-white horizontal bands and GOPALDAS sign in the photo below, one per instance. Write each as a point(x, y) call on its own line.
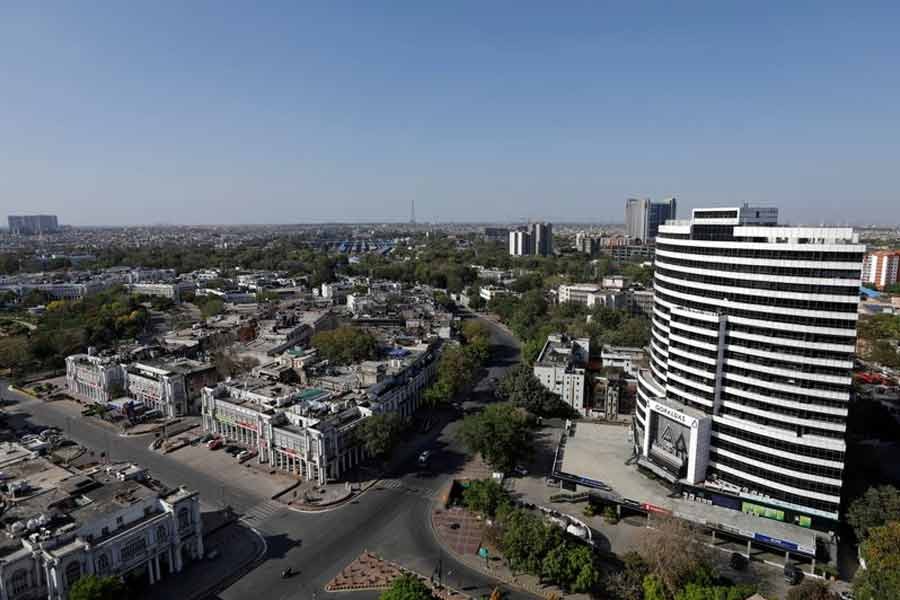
point(753, 335)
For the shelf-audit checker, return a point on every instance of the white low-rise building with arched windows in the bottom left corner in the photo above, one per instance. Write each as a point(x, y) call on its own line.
point(114, 521)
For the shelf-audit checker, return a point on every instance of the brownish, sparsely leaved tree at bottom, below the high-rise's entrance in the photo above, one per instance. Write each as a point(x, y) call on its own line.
point(675, 554)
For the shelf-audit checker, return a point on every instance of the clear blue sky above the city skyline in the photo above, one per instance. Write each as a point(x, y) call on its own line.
point(269, 112)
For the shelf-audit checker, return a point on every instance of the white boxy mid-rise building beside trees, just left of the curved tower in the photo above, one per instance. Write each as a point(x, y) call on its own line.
point(561, 368)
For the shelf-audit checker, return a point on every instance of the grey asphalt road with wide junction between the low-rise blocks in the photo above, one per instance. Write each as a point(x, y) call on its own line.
point(392, 520)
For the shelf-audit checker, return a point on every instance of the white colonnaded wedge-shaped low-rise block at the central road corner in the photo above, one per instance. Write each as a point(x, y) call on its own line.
point(305, 431)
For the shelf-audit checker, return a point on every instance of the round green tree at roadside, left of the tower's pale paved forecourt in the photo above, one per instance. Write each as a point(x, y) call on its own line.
point(500, 433)
